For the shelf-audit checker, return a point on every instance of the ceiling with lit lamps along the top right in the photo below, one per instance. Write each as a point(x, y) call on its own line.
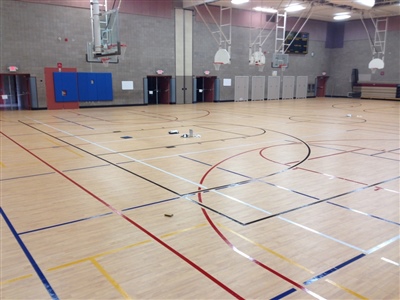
point(317, 9)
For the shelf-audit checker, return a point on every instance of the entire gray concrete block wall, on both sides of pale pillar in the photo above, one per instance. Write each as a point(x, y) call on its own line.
point(33, 37)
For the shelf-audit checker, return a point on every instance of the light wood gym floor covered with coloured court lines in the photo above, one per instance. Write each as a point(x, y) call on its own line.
point(289, 199)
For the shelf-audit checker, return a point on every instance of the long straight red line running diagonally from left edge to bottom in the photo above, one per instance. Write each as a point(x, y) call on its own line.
point(177, 253)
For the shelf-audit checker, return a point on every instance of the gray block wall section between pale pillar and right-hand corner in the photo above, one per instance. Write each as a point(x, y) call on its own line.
point(205, 48)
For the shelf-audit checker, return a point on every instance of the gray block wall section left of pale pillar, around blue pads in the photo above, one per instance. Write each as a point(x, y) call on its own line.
point(34, 37)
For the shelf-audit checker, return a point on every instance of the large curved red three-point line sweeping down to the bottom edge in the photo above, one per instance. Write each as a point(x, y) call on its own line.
point(199, 195)
